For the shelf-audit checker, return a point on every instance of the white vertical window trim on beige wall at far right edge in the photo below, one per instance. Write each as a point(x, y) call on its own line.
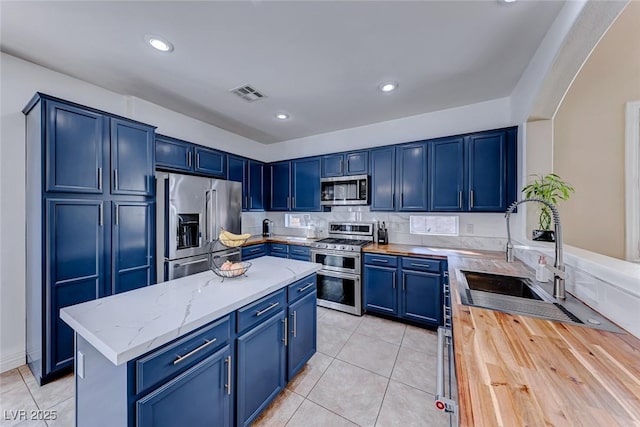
point(632, 174)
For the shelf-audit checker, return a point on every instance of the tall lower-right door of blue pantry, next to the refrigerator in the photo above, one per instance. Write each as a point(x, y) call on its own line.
point(133, 249)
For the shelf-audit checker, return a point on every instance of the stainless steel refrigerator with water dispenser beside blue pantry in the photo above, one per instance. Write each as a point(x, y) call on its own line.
point(191, 212)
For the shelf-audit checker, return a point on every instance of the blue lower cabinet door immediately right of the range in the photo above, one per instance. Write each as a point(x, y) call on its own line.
point(380, 289)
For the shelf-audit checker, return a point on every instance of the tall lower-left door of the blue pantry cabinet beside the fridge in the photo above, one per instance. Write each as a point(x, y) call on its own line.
point(75, 259)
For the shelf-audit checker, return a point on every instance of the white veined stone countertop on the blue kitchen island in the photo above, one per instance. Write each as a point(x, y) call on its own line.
point(125, 326)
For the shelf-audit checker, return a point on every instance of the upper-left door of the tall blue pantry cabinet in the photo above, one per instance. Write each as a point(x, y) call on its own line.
point(75, 142)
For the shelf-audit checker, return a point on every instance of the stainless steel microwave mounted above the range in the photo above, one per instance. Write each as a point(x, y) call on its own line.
point(344, 190)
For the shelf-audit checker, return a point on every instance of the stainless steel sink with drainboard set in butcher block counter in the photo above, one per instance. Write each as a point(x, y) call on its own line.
point(525, 296)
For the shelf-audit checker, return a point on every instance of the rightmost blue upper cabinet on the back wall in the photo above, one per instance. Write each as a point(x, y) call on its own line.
point(490, 177)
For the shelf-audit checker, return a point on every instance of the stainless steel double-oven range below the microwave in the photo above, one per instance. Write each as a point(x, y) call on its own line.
point(339, 280)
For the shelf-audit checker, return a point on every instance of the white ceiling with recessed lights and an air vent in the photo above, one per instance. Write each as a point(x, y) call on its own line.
point(319, 61)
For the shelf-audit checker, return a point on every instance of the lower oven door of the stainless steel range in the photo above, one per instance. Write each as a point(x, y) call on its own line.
point(340, 291)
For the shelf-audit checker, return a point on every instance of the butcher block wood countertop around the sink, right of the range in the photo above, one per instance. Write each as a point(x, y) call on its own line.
point(515, 370)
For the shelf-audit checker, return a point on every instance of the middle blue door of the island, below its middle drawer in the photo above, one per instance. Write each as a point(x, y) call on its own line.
point(261, 367)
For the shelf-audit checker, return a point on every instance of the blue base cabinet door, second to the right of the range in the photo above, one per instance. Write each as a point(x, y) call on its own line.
point(421, 297)
